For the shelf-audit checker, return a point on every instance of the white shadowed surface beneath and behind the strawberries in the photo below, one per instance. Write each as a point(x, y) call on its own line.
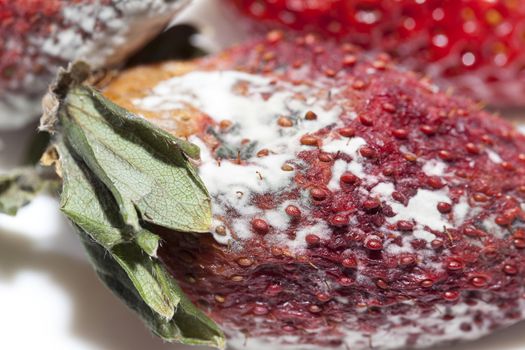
point(51, 299)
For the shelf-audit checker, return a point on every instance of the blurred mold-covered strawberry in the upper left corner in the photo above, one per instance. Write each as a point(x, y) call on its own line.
point(37, 36)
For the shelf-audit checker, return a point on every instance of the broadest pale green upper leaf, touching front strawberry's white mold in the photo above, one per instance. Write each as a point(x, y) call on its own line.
point(144, 167)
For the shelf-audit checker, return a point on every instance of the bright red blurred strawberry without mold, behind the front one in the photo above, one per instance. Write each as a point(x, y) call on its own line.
point(475, 46)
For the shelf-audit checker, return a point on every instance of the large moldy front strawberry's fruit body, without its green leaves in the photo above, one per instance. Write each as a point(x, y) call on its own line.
point(355, 205)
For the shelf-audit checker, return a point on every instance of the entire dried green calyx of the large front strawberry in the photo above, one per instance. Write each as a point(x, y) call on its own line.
point(121, 176)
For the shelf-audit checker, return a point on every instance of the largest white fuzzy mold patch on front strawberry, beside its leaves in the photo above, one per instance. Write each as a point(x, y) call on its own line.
point(253, 118)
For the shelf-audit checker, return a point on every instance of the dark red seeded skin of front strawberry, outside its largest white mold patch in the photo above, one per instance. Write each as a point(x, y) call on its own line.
point(375, 280)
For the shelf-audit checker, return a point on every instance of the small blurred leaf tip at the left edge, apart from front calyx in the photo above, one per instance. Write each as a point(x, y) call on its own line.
point(20, 186)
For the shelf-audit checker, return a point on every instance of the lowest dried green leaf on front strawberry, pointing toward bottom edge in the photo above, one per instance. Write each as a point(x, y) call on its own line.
point(188, 325)
